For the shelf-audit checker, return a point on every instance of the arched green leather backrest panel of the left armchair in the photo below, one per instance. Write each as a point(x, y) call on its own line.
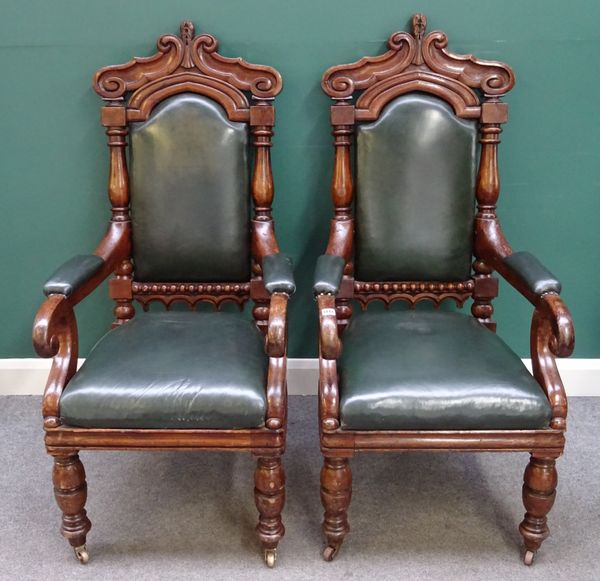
point(190, 196)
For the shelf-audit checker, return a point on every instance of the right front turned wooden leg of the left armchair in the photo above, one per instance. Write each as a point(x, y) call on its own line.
point(269, 495)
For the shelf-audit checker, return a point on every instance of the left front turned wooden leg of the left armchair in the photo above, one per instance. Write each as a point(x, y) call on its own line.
point(70, 491)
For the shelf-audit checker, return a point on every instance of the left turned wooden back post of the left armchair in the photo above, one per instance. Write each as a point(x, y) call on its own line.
point(114, 118)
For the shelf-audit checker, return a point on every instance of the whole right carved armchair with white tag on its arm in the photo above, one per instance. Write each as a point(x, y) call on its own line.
point(429, 380)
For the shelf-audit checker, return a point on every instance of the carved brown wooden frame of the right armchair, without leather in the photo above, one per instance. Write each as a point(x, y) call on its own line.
point(420, 62)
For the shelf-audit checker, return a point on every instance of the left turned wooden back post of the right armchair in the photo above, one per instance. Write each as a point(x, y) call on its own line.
point(342, 192)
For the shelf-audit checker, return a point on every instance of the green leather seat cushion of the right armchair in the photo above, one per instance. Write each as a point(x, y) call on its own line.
point(415, 370)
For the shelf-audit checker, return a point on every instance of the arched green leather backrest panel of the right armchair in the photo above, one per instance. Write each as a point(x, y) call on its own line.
point(415, 196)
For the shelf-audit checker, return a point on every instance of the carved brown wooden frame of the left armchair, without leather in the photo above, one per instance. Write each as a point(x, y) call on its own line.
point(185, 63)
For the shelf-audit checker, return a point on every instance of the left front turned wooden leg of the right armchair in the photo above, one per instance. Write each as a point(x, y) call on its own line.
point(336, 492)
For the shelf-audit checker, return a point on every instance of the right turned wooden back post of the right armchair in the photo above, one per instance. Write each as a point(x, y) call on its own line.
point(487, 227)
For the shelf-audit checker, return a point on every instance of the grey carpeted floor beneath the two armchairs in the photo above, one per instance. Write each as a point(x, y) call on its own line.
point(191, 516)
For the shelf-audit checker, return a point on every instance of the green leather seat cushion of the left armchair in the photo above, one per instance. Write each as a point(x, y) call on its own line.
point(172, 370)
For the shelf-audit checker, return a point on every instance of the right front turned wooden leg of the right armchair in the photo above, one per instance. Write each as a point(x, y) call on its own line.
point(539, 492)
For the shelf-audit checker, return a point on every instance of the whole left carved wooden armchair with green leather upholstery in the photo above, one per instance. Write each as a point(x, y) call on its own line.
point(177, 380)
